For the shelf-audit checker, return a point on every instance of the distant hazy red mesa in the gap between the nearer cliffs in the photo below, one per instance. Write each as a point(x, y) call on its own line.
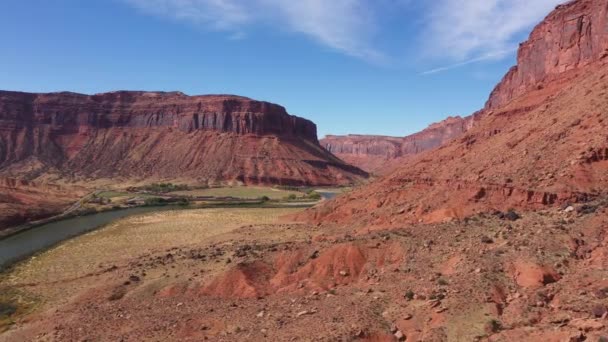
point(379, 154)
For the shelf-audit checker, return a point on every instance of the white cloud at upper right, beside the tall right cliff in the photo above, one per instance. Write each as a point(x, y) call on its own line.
point(464, 30)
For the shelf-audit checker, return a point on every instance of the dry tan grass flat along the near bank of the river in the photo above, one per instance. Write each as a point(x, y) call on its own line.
point(67, 268)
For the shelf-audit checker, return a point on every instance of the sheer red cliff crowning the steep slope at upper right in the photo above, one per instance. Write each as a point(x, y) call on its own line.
point(575, 35)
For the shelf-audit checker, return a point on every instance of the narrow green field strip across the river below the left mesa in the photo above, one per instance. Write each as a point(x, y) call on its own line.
point(249, 192)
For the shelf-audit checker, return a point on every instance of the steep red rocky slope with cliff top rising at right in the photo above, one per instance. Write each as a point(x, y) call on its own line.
point(533, 146)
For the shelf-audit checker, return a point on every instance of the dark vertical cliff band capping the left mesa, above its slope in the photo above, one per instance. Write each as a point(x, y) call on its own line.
point(71, 112)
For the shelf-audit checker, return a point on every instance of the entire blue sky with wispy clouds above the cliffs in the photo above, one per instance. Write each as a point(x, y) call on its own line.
point(352, 66)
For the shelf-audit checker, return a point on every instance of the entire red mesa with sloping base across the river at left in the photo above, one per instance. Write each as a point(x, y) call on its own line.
point(140, 135)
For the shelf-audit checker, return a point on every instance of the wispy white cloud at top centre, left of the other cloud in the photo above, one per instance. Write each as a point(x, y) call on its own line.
point(344, 25)
